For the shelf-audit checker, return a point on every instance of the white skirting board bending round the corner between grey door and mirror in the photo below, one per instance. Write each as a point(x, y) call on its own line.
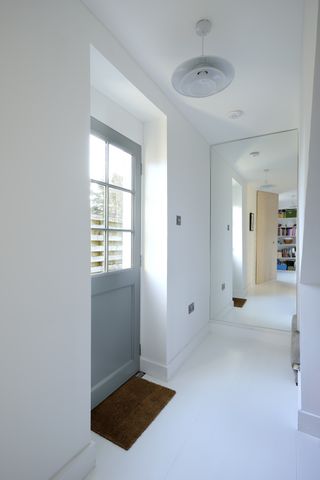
point(165, 372)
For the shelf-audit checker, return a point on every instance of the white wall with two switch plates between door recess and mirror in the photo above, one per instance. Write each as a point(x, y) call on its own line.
point(188, 244)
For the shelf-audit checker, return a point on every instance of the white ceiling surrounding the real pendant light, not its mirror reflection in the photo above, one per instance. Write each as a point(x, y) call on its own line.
point(261, 38)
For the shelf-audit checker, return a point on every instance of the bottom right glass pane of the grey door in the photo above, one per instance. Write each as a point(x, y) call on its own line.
point(119, 250)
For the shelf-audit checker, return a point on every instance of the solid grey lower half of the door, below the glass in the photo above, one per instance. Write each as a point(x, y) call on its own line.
point(115, 348)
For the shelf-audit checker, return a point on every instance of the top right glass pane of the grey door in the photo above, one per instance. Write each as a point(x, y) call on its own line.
point(120, 167)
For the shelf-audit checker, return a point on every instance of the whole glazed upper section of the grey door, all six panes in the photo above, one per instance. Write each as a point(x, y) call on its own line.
point(111, 202)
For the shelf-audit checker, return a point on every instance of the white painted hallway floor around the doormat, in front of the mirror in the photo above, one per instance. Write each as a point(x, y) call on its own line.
point(233, 417)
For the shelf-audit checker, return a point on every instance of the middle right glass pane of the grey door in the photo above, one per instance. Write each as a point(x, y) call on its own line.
point(120, 209)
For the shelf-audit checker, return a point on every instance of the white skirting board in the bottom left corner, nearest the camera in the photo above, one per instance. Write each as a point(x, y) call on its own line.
point(79, 466)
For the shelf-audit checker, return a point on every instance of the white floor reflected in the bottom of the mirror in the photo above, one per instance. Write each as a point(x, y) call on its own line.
point(269, 305)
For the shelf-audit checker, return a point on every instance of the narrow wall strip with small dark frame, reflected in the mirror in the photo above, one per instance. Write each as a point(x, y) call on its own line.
point(251, 207)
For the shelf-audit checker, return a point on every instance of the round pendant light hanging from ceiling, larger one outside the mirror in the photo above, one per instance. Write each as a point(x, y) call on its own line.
point(205, 75)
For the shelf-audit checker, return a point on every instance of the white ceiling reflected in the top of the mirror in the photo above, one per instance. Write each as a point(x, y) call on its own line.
point(277, 152)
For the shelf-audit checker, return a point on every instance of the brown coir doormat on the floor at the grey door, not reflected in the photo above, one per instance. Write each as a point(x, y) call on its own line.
point(125, 414)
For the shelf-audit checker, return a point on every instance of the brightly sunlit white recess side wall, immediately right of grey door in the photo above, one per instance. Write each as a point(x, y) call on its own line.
point(154, 239)
